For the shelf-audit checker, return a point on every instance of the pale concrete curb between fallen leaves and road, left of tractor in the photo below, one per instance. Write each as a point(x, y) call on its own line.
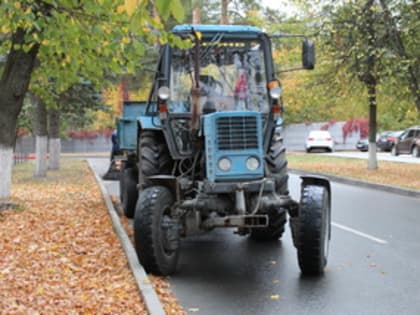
point(148, 293)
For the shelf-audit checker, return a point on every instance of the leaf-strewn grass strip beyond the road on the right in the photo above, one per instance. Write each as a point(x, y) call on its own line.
point(403, 175)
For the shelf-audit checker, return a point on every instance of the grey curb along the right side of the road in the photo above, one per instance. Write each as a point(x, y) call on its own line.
point(349, 181)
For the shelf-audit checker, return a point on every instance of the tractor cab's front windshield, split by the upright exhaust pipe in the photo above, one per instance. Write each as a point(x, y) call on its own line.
point(232, 77)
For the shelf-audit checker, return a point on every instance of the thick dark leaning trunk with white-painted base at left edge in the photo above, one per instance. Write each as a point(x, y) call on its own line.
point(13, 87)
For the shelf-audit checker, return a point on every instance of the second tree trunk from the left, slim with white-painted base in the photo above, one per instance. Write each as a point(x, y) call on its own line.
point(41, 142)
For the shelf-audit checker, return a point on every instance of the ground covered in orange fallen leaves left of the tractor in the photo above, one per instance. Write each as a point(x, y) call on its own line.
point(58, 251)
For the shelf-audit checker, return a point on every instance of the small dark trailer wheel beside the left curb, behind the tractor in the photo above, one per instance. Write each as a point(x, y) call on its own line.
point(129, 192)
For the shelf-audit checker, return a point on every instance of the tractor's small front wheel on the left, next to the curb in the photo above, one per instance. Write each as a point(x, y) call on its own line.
point(156, 233)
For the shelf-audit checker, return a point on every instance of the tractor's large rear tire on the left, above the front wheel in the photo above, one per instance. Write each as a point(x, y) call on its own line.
point(154, 157)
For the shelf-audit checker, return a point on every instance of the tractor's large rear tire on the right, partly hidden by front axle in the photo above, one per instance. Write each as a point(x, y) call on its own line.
point(276, 168)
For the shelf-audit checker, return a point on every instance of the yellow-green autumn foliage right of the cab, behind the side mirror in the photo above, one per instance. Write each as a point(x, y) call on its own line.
point(333, 89)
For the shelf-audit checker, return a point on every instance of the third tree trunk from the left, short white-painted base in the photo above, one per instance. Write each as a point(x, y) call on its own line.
point(54, 139)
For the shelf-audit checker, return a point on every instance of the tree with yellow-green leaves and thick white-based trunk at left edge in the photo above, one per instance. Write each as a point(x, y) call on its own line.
point(68, 40)
